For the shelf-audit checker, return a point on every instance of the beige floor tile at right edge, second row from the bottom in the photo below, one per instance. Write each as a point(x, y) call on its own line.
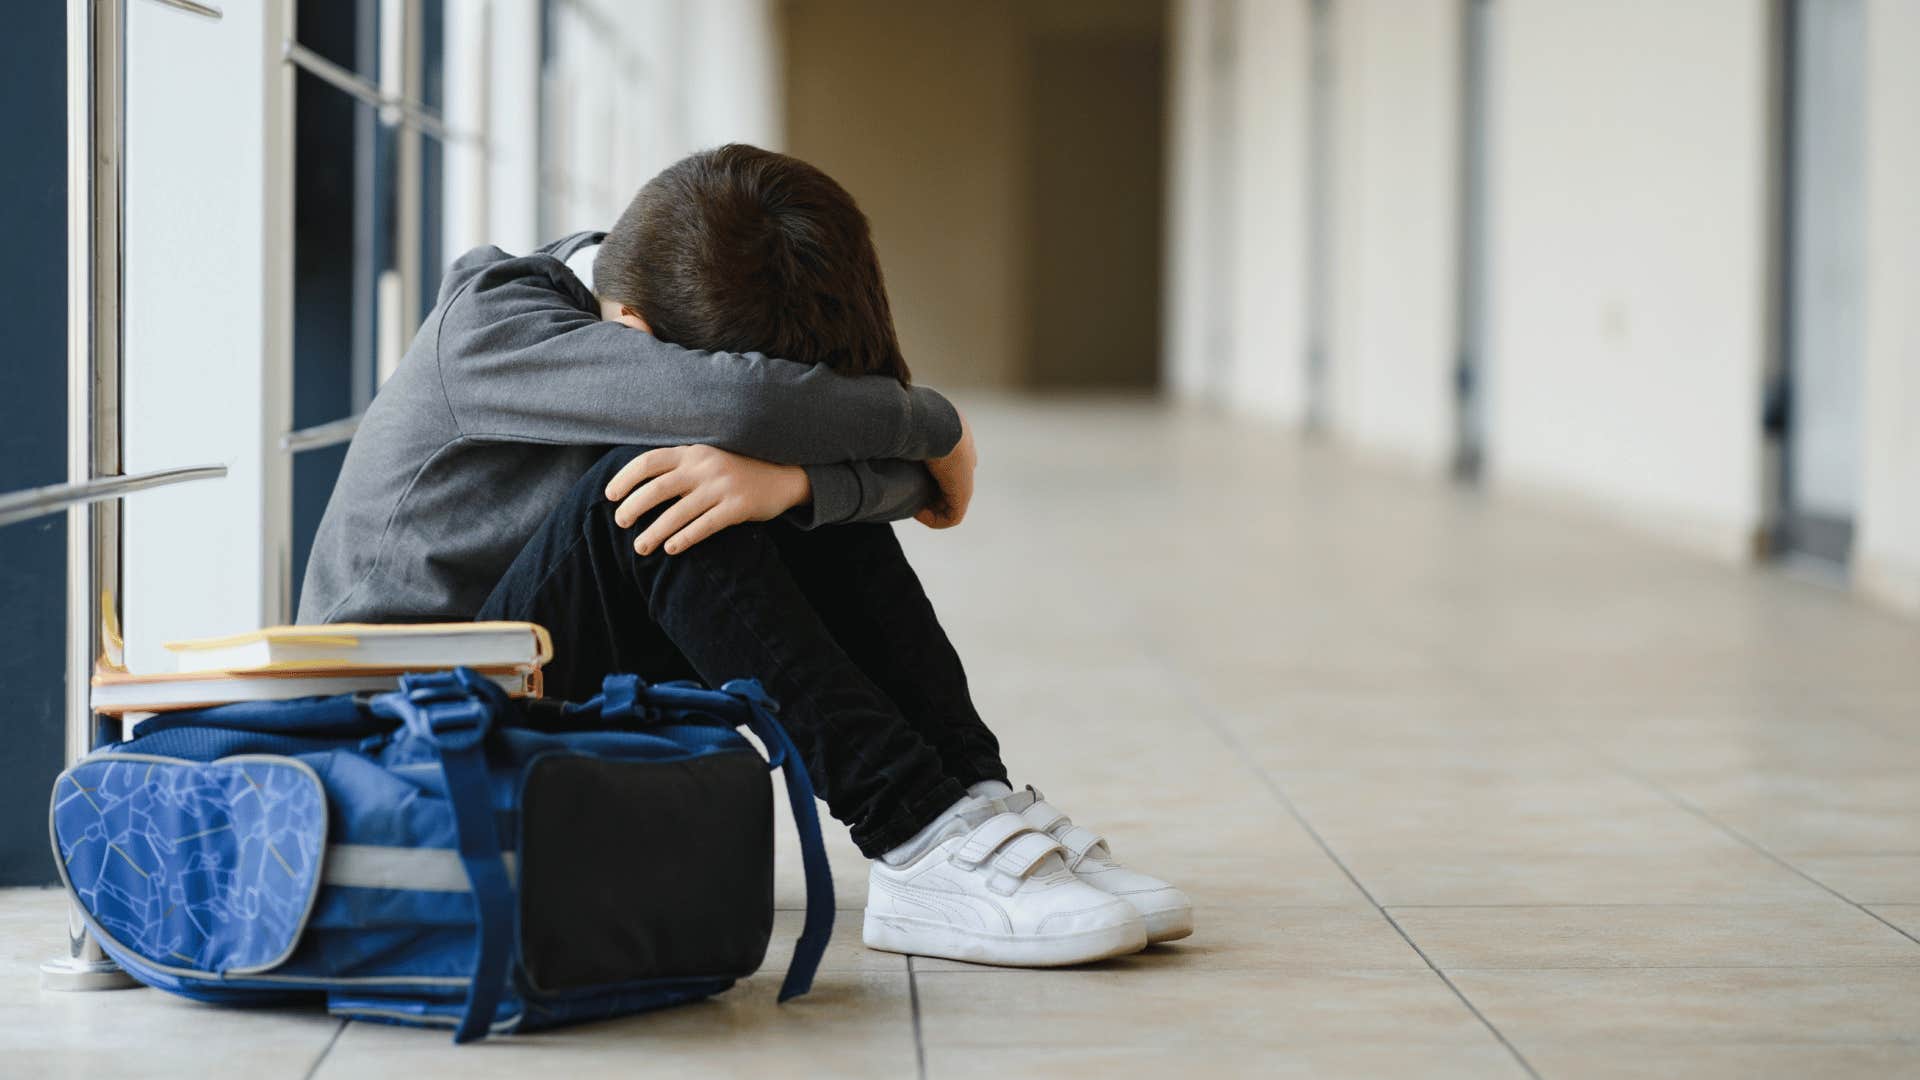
point(1698, 1006)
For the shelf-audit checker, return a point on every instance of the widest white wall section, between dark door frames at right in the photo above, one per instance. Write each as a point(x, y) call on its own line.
point(1629, 260)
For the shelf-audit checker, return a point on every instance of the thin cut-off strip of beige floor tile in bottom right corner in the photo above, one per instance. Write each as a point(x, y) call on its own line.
point(1762, 1062)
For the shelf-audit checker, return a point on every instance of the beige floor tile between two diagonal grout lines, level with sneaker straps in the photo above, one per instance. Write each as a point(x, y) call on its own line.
point(1717, 875)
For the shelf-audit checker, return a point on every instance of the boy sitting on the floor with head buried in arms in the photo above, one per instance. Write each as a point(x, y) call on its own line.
point(629, 468)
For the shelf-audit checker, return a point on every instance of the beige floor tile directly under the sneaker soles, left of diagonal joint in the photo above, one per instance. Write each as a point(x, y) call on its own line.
point(1280, 939)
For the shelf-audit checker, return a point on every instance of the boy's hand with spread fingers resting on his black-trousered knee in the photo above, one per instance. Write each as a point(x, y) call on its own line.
point(713, 489)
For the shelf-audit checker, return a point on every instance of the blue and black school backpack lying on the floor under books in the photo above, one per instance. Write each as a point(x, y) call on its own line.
point(444, 854)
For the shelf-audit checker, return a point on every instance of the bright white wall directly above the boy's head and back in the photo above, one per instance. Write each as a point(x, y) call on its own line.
point(635, 87)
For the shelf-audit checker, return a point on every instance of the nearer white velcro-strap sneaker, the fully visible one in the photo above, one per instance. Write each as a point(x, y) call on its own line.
point(999, 895)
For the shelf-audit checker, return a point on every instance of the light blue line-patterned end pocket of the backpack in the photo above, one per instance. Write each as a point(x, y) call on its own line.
point(203, 868)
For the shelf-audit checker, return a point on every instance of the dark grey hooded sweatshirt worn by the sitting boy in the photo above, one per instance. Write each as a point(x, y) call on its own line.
point(516, 387)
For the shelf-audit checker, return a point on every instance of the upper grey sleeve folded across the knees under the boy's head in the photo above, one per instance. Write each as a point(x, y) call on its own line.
point(523, 356)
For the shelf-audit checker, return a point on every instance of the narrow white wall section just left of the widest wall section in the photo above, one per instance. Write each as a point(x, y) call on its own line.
point(1395, 232)
